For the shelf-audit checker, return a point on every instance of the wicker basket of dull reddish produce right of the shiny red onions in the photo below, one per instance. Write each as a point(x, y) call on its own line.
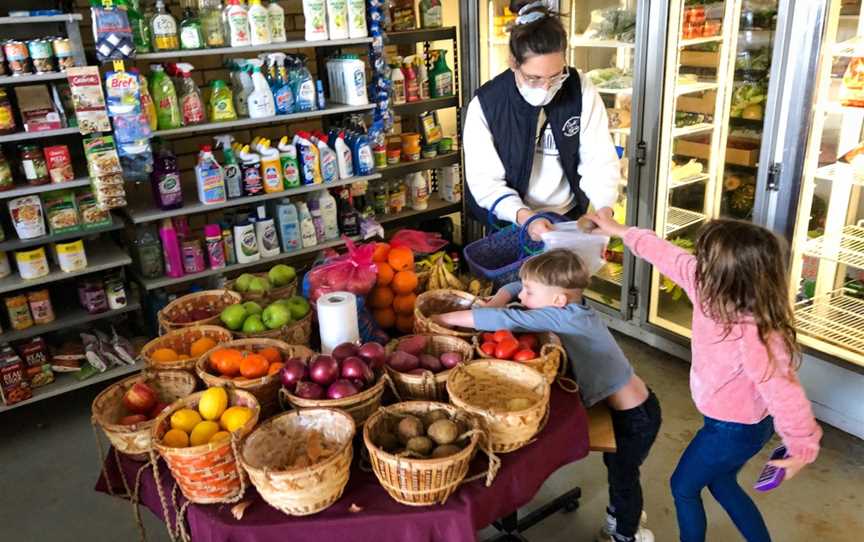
point(419, 364)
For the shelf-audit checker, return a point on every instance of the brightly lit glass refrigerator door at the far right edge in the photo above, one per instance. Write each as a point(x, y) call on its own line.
point(828, 245)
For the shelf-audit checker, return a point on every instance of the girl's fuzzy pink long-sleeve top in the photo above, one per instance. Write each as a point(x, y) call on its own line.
point(730, 376)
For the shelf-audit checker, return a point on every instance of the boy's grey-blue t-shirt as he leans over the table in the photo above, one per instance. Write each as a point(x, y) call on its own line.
point(596, 361)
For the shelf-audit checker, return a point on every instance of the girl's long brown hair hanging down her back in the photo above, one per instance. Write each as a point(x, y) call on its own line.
point(741, 271)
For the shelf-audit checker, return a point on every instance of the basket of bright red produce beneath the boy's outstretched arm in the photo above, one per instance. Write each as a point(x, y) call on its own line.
point(540, 351)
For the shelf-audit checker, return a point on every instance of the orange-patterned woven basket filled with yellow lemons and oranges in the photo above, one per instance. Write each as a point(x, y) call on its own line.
point(198, 437)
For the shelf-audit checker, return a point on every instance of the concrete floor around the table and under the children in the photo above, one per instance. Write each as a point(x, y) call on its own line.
point(48, 465)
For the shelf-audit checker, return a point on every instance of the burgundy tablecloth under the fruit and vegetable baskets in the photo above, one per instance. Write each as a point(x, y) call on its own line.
point(472, 507)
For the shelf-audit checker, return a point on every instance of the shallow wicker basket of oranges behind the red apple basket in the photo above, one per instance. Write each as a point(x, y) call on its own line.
point(180, 349)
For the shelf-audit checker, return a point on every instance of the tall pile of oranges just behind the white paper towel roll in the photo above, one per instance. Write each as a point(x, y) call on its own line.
point(394, 295)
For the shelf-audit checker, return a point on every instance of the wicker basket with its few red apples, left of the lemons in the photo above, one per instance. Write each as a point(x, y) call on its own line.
point(127, 410)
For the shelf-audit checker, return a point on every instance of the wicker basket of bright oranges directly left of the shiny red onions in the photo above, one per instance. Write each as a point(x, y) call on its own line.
point(251, 365)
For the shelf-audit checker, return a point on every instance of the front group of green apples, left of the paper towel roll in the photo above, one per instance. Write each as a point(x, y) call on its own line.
point(288, 320)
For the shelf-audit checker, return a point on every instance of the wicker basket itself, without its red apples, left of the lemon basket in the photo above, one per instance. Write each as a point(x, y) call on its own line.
point(107, 409)
